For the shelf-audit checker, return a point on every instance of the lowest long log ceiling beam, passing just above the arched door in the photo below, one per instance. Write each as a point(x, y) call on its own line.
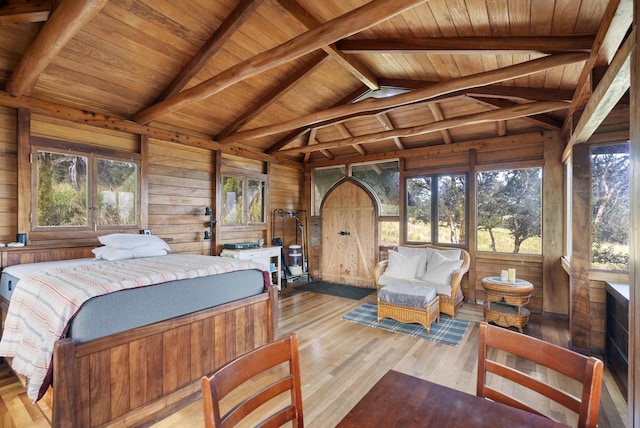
point(508, 113)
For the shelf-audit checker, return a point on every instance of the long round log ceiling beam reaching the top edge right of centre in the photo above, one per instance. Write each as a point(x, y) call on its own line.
point(350, 23)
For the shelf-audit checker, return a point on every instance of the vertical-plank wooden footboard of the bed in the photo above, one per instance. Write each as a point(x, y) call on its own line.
point(139, 376)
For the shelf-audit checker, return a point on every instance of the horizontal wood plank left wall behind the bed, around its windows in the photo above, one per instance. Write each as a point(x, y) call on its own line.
point(181, 181)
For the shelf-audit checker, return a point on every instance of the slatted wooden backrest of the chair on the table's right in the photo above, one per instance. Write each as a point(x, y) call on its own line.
point(586, 370)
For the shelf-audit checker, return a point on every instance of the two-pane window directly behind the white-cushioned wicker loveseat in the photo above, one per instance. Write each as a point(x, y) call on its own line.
point(437, 209)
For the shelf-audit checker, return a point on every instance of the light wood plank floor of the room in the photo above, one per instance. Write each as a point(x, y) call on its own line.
point(341, 361)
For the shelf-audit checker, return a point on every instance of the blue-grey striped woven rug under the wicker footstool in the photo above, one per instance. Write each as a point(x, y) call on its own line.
point(449, 331)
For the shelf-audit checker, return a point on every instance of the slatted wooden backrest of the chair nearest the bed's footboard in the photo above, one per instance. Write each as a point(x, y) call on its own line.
point(278, 381)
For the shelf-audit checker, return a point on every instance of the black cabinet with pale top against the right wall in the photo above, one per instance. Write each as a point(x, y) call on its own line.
point(617, 332)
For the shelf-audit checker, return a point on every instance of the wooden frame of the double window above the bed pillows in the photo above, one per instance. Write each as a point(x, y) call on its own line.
point(92, 153)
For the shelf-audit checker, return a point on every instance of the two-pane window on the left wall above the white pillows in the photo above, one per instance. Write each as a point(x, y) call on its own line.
point(77, 190)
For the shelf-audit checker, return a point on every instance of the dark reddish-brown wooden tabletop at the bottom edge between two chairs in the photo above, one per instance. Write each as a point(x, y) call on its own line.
point(400, 400)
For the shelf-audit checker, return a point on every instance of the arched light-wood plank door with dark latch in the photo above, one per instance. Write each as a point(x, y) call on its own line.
point(349, 236)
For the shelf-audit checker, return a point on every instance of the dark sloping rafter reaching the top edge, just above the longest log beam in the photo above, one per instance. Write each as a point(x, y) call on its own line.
point(230, 25)
